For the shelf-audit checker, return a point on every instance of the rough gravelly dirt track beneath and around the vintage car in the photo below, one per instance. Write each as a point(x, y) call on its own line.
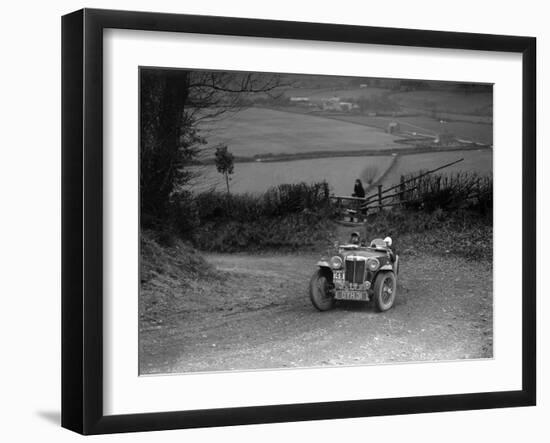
point(258, 315)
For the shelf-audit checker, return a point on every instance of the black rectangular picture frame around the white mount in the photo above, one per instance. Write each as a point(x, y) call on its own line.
point(82, 218)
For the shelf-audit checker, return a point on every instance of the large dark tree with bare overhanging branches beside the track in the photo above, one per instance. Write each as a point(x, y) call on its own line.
point(172, 104)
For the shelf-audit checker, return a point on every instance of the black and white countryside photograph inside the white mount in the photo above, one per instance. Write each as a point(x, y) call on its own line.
point(307, 221)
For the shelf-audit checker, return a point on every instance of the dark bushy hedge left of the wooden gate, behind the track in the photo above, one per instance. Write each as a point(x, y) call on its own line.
point(286, 217)
